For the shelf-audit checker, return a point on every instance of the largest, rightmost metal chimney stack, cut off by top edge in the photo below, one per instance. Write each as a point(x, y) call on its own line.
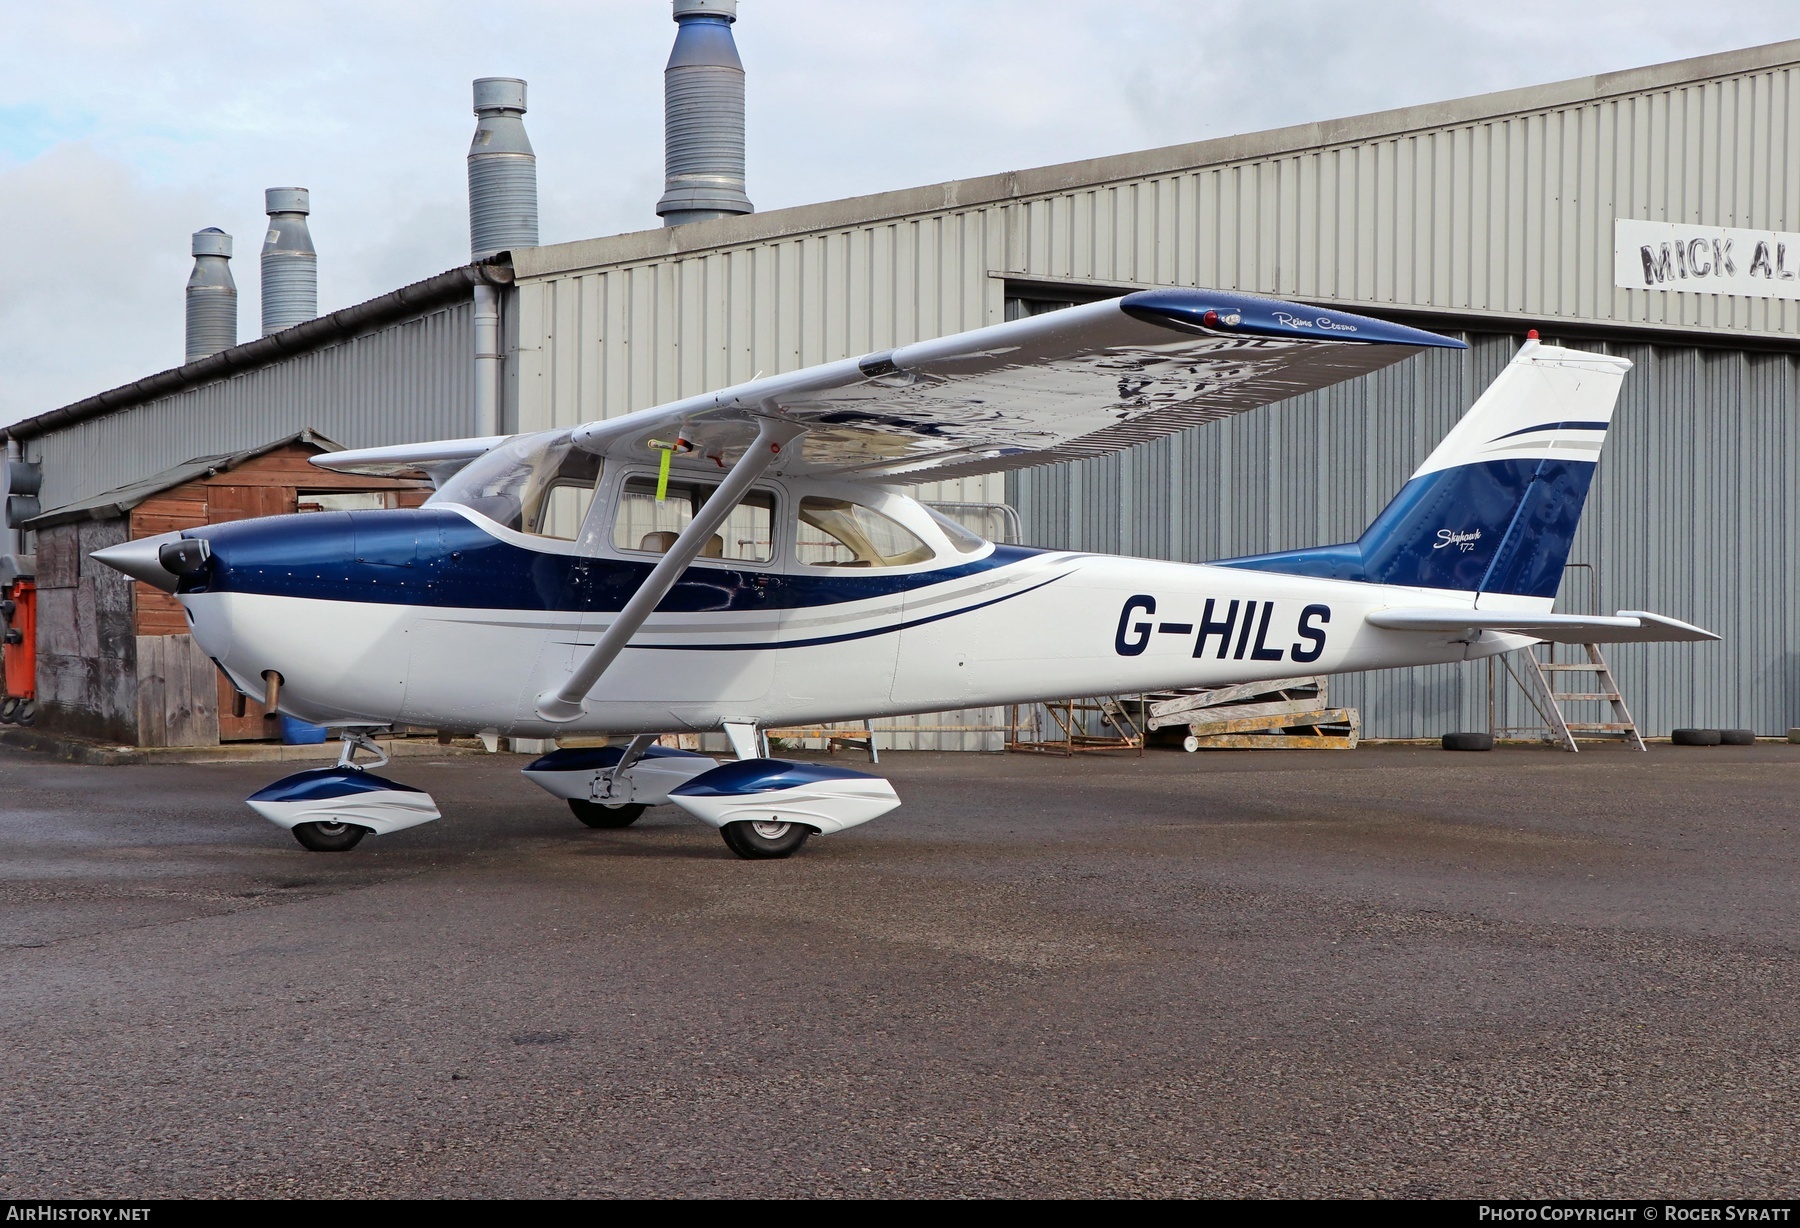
point(703, 118)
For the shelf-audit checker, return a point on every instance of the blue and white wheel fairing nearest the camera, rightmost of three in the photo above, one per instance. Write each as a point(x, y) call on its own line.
point(778, 791)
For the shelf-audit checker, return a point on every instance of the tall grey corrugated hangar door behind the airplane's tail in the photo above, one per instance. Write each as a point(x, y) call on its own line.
point(1691, 516)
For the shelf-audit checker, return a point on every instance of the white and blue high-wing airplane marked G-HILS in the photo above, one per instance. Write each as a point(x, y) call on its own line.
point(750, 559)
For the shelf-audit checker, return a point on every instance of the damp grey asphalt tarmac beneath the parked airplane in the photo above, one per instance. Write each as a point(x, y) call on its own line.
point(1394, 971)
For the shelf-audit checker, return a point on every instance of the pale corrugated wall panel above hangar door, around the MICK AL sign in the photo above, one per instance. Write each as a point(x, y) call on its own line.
point(1509, 215)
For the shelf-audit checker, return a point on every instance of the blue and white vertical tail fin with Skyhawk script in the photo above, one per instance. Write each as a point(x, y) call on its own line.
point(1495, 507)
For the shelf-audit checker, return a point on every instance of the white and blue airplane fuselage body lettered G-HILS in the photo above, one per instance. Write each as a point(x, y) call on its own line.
point(442, 619)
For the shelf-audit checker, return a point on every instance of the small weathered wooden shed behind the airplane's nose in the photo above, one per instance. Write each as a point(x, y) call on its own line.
point(114, 656)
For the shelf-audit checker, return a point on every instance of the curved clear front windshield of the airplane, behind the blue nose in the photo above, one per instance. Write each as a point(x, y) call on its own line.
point(535, 483)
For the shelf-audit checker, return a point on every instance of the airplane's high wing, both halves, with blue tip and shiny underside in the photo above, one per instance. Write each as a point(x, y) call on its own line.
point(1050, 388)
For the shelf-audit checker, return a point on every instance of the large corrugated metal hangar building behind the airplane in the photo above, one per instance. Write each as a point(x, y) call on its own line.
point(1642, 213)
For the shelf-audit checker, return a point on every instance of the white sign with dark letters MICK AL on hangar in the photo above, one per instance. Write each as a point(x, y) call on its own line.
point(1705, 260)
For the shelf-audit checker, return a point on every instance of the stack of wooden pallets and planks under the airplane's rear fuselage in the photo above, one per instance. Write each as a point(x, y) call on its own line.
point(1284, 714)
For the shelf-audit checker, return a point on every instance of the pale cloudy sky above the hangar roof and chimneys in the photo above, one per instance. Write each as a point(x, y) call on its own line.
point(127, 125)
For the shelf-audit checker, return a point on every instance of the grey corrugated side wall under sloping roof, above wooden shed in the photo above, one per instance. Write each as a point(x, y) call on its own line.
point(404, 383)
